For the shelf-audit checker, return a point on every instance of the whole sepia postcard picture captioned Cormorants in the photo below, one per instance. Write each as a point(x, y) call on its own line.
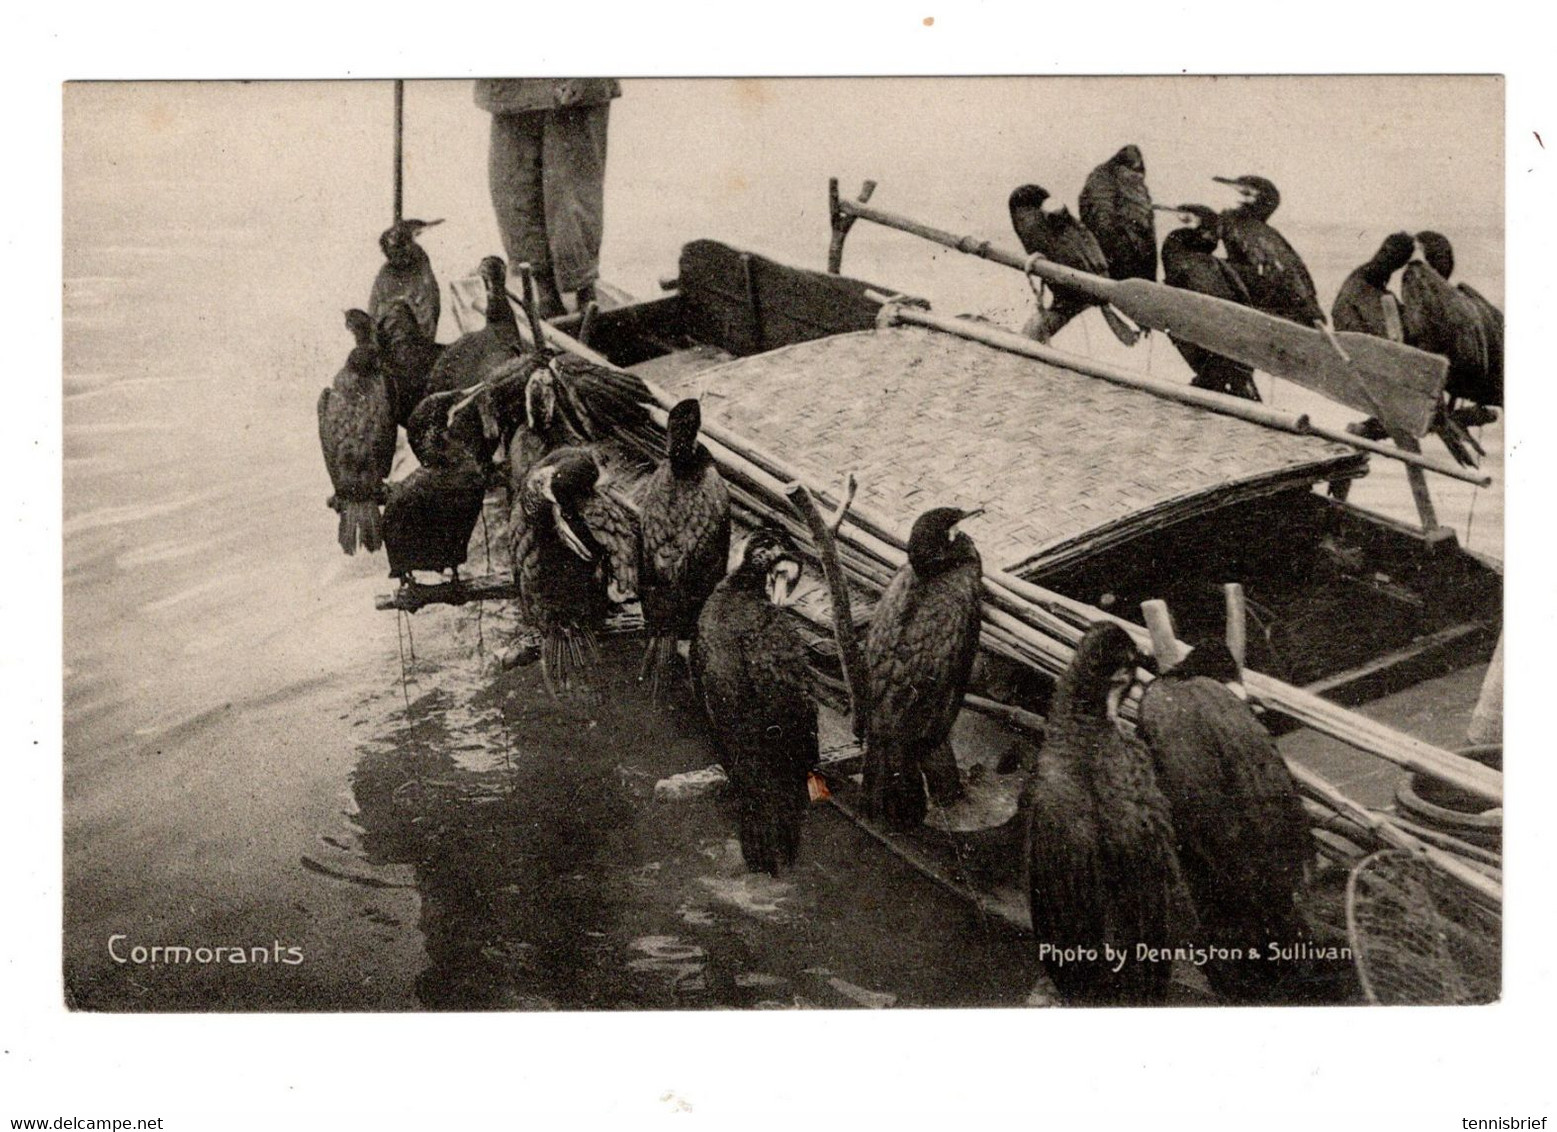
point(589, 544)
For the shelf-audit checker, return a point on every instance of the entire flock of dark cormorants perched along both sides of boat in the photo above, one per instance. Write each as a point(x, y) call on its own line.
point(1187, 834)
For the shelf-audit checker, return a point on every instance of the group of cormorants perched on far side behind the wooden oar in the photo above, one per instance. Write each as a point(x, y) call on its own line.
point(1116, 236)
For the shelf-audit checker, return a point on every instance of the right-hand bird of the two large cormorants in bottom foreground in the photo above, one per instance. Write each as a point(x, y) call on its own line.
point(1239, 824)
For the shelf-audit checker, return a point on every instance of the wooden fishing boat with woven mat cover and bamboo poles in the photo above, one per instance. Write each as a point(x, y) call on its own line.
point(1103, 491)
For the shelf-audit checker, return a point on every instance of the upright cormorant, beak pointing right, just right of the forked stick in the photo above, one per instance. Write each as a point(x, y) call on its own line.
point(919, 655)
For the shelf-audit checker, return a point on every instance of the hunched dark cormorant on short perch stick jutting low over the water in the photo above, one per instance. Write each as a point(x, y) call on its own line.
point(432, 515)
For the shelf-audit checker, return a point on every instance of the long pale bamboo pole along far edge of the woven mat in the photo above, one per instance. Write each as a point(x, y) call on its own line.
point(1221, 404)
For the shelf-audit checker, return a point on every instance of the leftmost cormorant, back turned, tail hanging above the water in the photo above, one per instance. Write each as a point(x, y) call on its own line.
point(357, 438)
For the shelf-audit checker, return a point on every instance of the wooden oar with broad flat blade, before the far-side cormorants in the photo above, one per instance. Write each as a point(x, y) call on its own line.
point(1397, 384)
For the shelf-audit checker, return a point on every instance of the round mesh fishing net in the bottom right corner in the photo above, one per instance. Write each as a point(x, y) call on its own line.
point(1418, 938)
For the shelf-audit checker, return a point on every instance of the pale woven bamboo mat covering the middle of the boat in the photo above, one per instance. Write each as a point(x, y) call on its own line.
point(1063, 463)
